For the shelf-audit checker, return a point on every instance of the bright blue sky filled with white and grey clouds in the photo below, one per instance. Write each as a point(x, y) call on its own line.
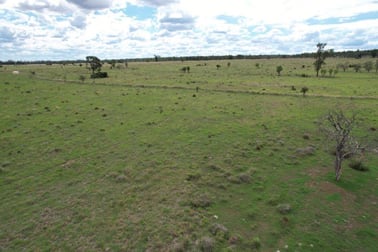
point(124, 29)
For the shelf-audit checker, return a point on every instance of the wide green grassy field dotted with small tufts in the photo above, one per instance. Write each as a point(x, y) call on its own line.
point(155, 159)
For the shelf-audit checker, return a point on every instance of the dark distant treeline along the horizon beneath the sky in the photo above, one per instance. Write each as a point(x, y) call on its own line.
point(156, 58)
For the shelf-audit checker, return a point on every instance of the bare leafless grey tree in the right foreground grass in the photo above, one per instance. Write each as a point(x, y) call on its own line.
point(338, 128)
